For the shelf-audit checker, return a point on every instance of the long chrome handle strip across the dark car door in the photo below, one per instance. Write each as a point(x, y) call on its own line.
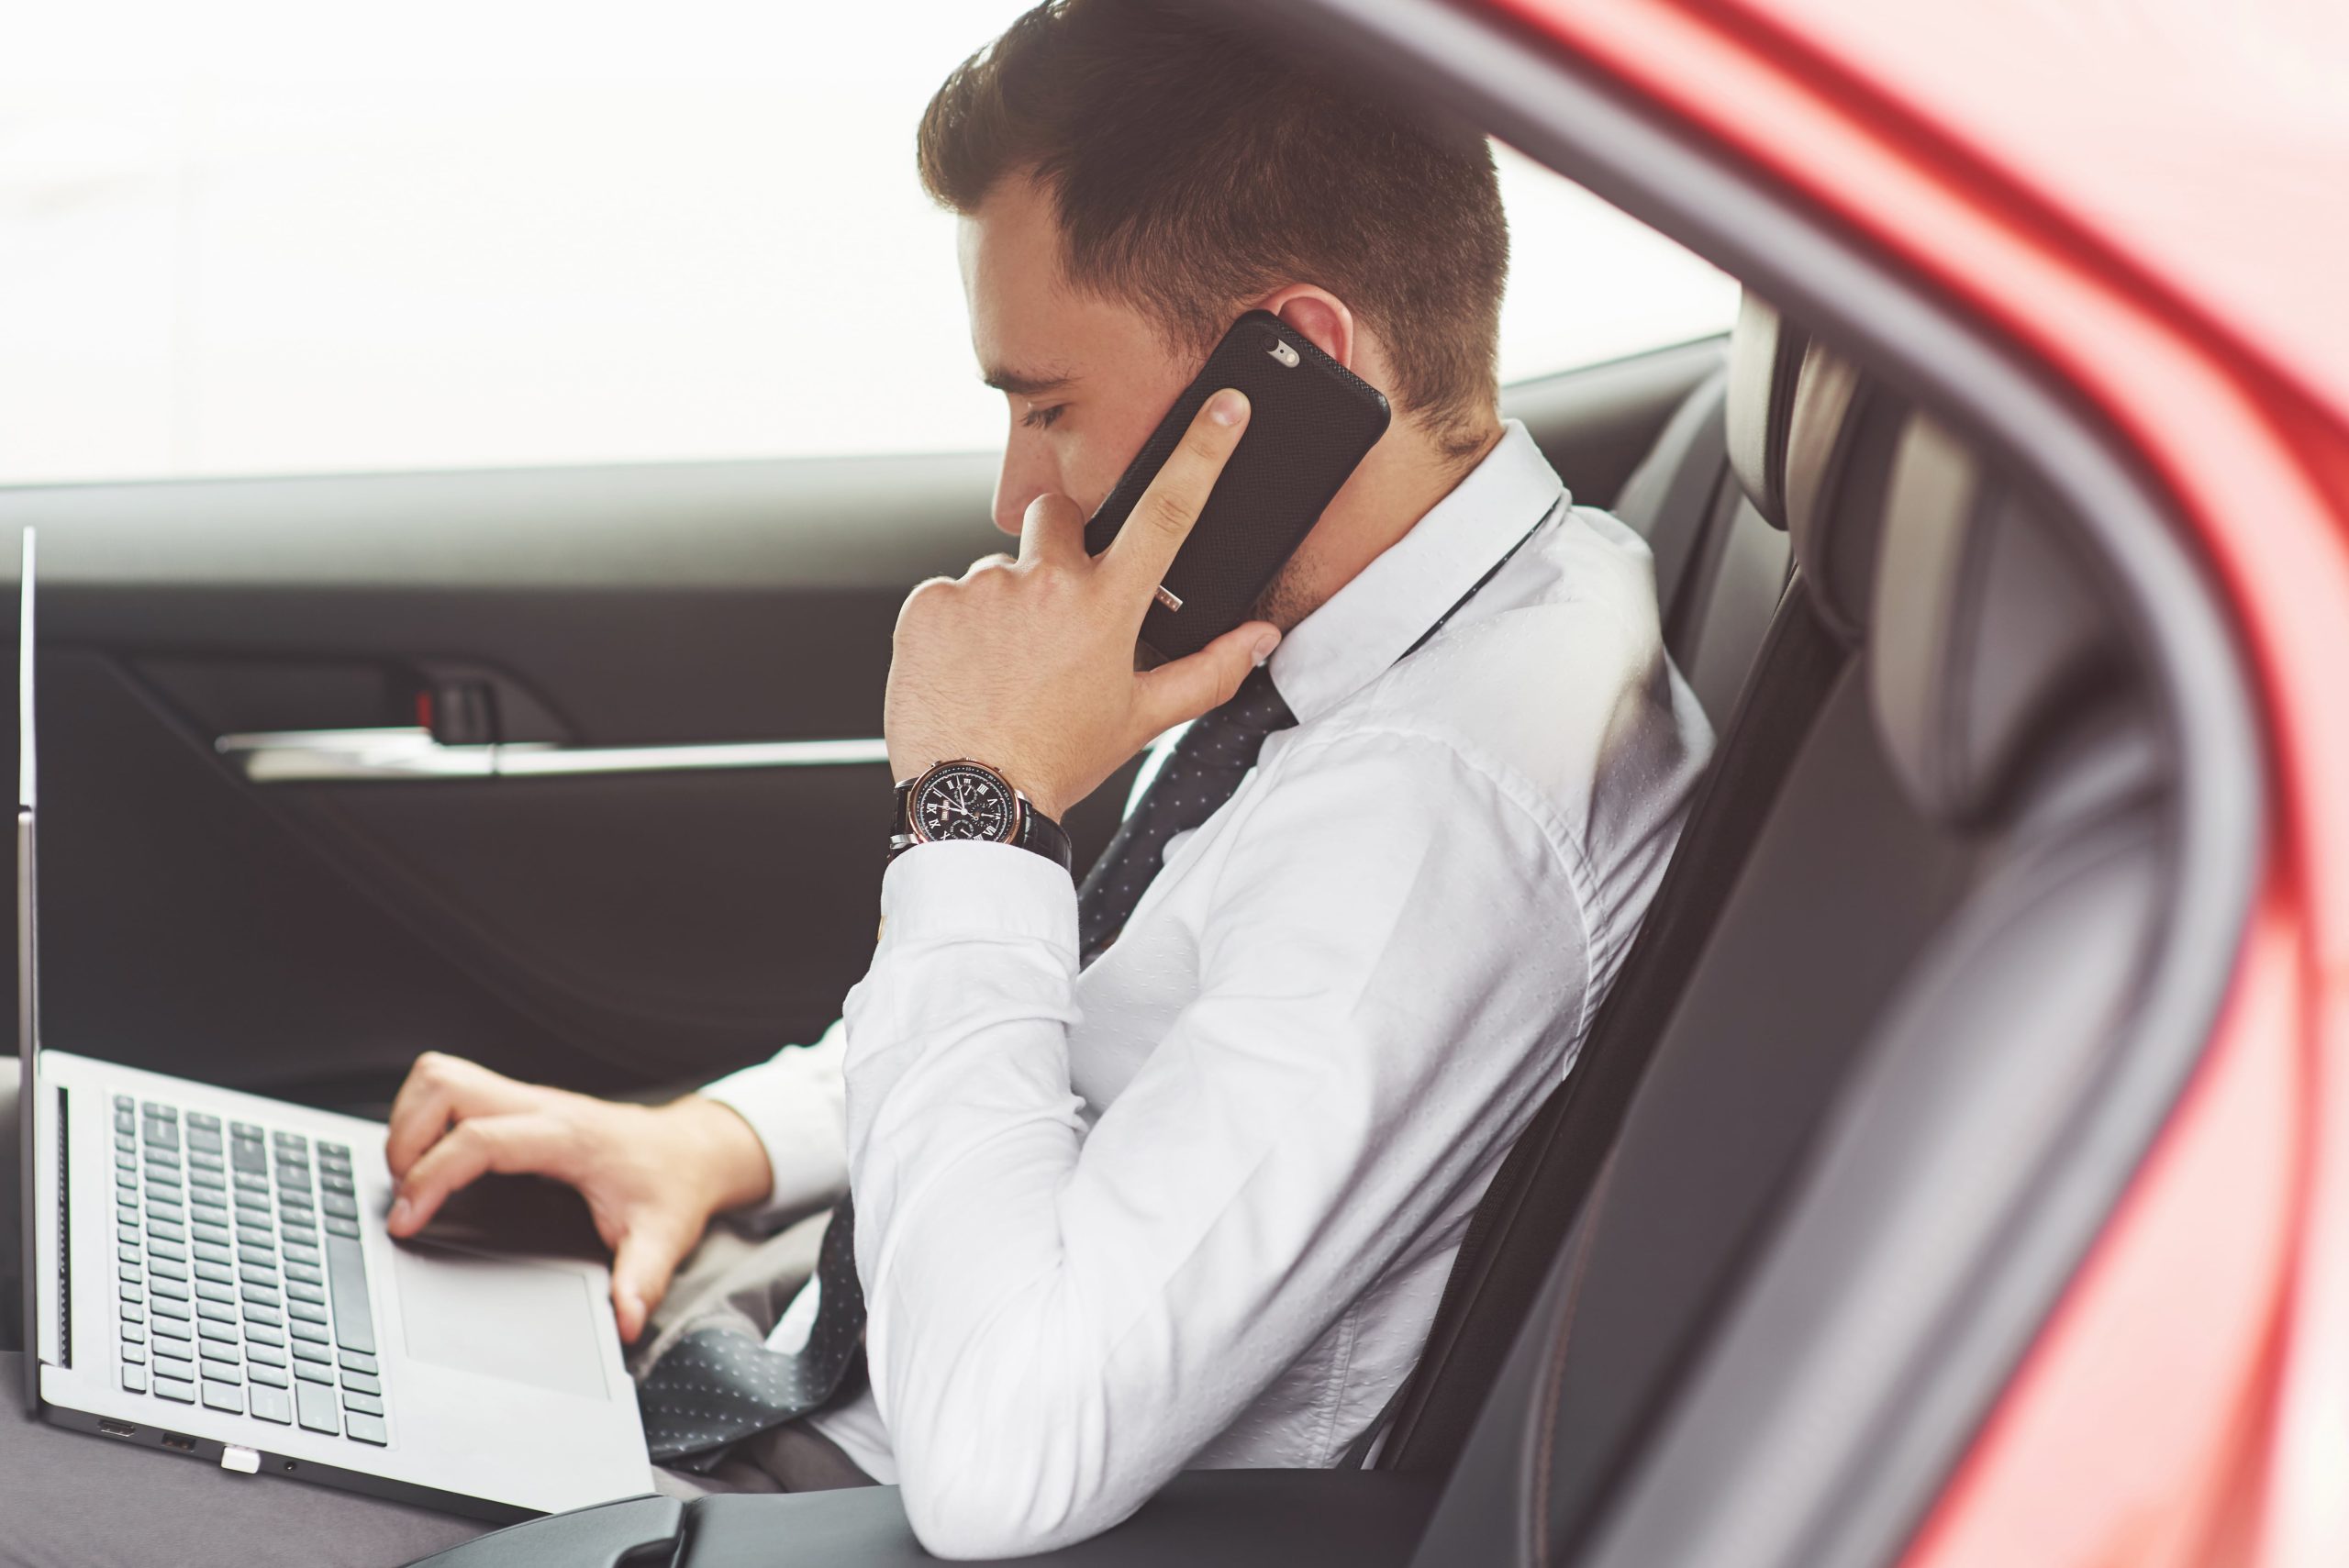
point(412, 755)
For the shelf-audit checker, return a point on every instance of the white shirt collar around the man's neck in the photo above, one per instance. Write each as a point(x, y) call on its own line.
point(1352, 640)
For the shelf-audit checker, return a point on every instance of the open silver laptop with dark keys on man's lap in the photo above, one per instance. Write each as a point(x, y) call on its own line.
point(208, 1276)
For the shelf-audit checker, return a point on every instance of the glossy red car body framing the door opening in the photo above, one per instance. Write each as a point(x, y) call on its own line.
point(2155, 205)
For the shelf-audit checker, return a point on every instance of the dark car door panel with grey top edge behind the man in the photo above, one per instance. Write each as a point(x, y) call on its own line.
point(617, 931)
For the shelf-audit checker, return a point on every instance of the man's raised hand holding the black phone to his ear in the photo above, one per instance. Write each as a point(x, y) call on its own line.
point(1030, 665)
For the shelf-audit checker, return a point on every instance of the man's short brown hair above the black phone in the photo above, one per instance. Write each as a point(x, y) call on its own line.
point(1194, 170)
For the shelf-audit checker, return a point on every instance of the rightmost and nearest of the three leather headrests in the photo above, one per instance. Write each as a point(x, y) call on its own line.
point(1986, 633)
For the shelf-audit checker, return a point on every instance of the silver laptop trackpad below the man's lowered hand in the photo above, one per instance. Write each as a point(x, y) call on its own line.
point(499, 1318)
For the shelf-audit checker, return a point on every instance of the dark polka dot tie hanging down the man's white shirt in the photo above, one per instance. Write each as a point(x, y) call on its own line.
point(720, 1386)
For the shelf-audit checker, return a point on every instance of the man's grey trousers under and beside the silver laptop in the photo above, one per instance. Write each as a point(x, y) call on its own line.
point(76, 1501)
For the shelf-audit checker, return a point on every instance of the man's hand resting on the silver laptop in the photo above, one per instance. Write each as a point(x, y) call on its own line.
point(652, 1175)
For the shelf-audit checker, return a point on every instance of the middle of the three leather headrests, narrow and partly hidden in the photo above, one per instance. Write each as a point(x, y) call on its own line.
point(1840, 445)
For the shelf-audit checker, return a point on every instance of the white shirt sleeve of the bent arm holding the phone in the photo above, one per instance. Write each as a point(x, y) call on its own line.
point(1061, 1320)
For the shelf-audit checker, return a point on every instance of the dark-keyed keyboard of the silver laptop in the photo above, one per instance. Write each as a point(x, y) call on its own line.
point(241, 1276)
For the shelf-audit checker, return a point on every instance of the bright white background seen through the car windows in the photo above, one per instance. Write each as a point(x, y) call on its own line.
point(295, 236)
